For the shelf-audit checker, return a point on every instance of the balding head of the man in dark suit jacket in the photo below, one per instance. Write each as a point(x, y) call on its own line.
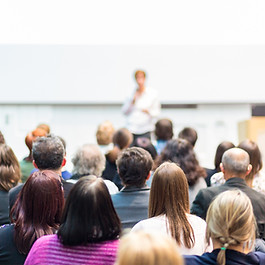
point(235, 161)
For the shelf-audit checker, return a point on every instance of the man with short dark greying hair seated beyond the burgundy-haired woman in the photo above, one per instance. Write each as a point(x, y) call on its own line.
point(48, 153)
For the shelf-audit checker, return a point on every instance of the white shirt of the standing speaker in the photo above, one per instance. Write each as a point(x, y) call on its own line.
point(139, 122)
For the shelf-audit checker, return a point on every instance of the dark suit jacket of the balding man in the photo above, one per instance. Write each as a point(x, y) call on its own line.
point(205, 196)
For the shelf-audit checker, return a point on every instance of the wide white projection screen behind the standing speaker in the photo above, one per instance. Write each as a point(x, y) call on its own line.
point(98, 74)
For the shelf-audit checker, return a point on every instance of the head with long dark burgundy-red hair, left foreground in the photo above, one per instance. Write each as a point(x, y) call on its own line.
point(38, 209)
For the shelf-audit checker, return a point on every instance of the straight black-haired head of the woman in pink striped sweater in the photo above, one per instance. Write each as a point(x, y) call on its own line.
point(89, 215)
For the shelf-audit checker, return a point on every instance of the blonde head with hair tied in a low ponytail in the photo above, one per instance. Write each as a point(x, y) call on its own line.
point(231, 222)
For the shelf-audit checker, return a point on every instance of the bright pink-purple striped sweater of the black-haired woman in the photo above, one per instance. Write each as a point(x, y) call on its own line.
point(49, 250)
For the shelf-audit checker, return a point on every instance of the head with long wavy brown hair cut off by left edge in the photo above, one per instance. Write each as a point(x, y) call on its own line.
point(9, 168)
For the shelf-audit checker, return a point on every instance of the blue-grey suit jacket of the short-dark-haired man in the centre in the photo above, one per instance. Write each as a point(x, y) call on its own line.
point(131, 205)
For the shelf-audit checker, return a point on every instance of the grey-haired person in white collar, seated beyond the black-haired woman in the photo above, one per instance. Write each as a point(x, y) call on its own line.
point(89, 160)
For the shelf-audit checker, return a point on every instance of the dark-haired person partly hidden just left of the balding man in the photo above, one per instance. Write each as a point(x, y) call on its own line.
point(221, 148)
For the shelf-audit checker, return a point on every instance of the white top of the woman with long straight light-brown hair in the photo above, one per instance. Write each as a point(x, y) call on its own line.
point(159, 223)
